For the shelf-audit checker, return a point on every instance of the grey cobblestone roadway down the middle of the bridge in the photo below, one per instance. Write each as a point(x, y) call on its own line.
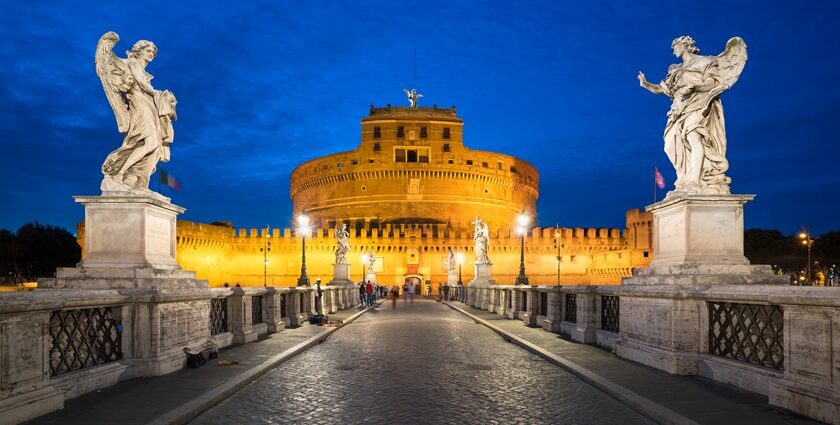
point(421, 364)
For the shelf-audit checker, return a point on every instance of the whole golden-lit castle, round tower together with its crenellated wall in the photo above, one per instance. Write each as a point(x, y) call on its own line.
point(407, 193)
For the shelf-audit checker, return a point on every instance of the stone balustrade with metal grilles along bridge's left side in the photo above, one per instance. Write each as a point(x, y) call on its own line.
point(57, 344)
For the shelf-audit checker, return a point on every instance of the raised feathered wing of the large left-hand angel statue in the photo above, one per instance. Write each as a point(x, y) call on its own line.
point(115, 77)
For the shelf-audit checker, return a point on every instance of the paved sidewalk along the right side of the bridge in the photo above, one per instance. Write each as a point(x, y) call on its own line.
point(663, 397)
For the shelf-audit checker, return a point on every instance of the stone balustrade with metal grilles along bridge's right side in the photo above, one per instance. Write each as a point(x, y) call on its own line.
point(779, 341)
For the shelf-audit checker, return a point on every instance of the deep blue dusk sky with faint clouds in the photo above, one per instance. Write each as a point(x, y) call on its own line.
point(262, 87)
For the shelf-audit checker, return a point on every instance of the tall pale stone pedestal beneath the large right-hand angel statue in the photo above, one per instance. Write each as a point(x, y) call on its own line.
point(698, 242)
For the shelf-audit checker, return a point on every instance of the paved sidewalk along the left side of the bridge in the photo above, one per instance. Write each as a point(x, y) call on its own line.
point(180, 396)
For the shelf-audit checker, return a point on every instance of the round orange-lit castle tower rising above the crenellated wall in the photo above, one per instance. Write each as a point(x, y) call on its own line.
point(412, 167)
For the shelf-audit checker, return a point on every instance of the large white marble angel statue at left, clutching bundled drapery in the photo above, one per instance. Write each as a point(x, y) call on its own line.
point(143, 114)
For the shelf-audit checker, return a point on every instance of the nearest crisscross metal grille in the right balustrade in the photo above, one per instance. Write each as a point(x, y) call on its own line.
point(748, 333)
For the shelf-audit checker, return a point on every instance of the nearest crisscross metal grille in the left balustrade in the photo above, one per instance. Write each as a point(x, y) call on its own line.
point(83, 338)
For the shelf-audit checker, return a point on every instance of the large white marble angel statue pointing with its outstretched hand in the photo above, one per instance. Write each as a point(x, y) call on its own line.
point(695, 135)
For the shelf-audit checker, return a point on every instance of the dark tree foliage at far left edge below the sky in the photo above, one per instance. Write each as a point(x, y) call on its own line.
point(35, 251)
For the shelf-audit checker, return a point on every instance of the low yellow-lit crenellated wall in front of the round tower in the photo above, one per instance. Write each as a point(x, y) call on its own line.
point(591, 256)
